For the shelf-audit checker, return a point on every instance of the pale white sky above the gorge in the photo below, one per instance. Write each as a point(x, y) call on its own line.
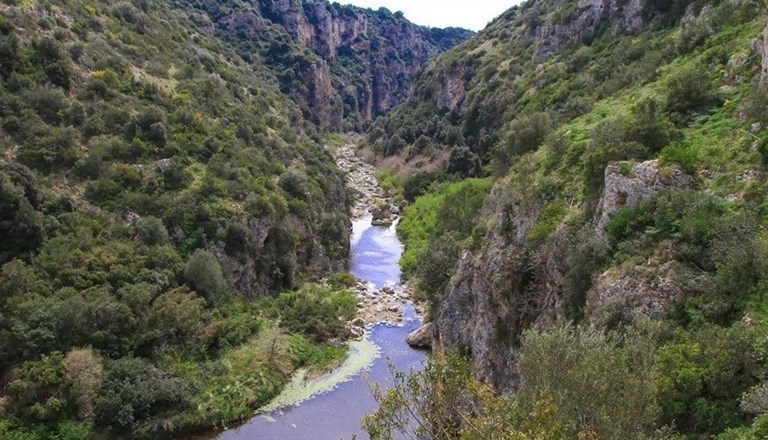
point(470, 14)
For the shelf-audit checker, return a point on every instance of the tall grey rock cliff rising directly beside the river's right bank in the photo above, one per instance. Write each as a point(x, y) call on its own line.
point(484, 307)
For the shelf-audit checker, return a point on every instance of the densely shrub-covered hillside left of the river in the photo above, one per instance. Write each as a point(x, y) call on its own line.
point(152, 184)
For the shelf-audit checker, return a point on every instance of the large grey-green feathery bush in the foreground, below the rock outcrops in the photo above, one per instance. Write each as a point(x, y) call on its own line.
point(597, 382)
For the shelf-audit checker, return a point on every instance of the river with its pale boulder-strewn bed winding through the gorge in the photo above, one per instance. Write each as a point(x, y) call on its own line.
point(330, 406)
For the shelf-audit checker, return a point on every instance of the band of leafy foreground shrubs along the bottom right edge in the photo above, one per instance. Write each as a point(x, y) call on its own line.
point(579, 382)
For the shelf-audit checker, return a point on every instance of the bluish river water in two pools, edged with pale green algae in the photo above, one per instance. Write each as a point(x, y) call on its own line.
point(331, 407)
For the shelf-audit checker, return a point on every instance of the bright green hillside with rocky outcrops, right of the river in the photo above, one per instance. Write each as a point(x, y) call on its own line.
point(628, 145)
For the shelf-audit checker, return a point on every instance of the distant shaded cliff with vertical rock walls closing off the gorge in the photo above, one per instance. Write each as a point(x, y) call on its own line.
point(344, 65)
